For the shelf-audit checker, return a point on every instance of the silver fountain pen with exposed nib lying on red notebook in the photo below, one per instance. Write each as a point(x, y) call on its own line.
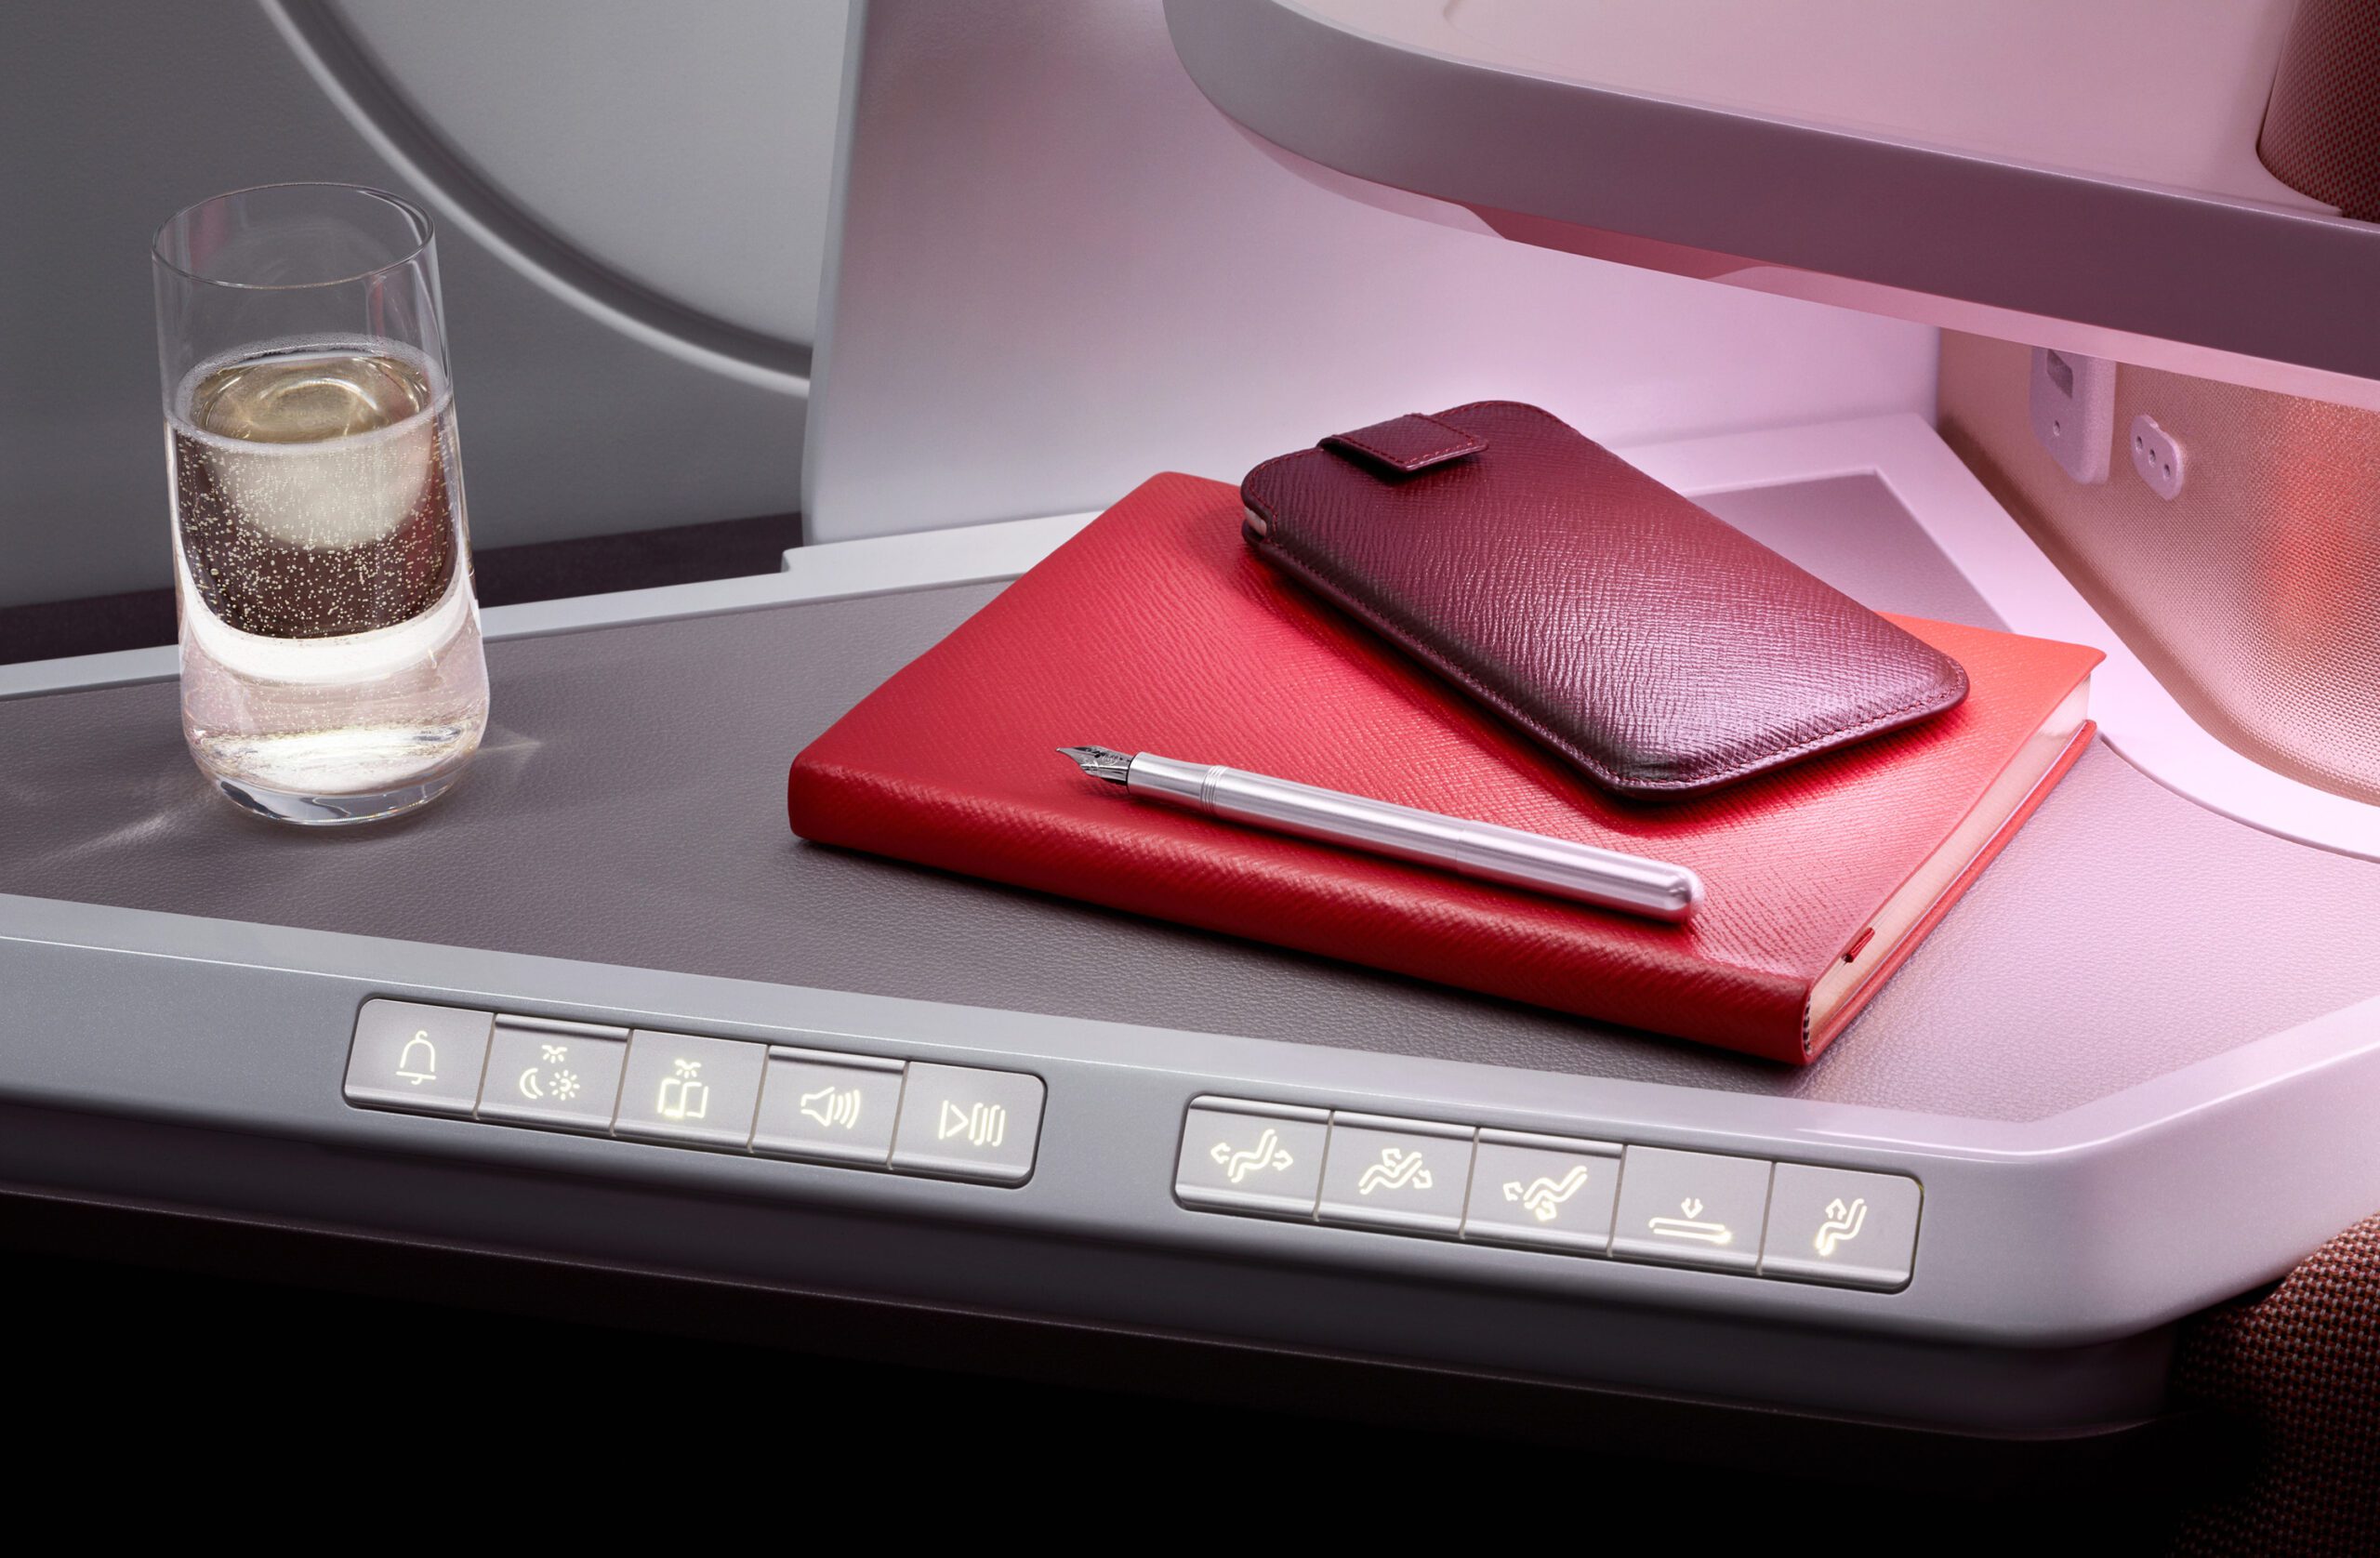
point(1586, 874)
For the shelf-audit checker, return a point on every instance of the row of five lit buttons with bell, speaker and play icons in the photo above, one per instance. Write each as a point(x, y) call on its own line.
point(691, 1091)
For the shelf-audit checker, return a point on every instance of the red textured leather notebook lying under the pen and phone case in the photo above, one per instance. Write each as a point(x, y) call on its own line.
point(1158, 632)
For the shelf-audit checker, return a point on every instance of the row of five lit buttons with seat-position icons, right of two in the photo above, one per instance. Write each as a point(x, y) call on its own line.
point(1560, 1195)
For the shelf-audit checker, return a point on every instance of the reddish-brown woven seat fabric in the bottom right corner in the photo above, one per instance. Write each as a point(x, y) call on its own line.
point(2303, 1367)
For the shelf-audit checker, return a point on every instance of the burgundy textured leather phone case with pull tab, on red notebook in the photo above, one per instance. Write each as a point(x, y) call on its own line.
point(1639, 636)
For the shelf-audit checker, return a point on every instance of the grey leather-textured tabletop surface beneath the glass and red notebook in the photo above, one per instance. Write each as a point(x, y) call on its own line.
point(630, 810)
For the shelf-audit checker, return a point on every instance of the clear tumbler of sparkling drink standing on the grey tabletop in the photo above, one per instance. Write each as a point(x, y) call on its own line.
point(330, 639)
